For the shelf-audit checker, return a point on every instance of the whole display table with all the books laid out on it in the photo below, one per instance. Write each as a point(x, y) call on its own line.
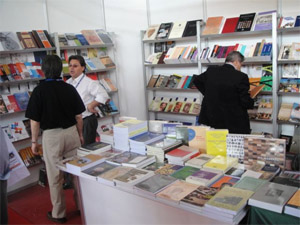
point(193, 186)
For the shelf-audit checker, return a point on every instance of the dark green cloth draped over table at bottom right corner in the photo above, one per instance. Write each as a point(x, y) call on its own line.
point(263, 216)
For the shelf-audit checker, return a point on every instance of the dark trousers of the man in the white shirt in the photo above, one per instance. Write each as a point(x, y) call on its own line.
point(90, 124)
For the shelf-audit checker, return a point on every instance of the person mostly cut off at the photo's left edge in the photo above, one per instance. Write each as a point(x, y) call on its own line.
point(4, 174)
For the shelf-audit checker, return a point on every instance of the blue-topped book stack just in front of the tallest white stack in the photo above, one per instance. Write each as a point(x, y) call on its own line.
point(138, 143)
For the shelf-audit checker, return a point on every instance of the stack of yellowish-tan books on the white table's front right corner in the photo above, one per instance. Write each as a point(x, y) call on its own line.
point(228, 205)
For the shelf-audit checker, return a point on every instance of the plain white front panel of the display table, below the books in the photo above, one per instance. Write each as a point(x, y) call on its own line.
point(103, 204)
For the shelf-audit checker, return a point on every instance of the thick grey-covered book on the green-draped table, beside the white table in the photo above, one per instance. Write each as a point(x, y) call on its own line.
point(272, 196)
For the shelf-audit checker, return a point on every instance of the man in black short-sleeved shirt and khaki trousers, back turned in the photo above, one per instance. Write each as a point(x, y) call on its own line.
point(55, 107)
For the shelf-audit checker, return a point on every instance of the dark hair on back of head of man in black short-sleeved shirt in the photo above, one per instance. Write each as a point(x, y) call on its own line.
point(52, 66)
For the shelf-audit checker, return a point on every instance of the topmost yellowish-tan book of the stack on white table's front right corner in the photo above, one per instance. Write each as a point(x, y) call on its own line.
point(230, 200)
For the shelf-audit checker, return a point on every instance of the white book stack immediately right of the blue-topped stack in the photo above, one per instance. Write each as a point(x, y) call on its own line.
point(159, 148)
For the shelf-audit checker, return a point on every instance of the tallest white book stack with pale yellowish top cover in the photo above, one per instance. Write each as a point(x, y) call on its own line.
point(128, 129)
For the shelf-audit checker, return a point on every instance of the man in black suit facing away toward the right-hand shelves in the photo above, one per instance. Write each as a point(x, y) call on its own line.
point(226, 96)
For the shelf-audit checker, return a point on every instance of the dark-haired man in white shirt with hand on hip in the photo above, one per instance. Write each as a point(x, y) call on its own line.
point(91, 93)
